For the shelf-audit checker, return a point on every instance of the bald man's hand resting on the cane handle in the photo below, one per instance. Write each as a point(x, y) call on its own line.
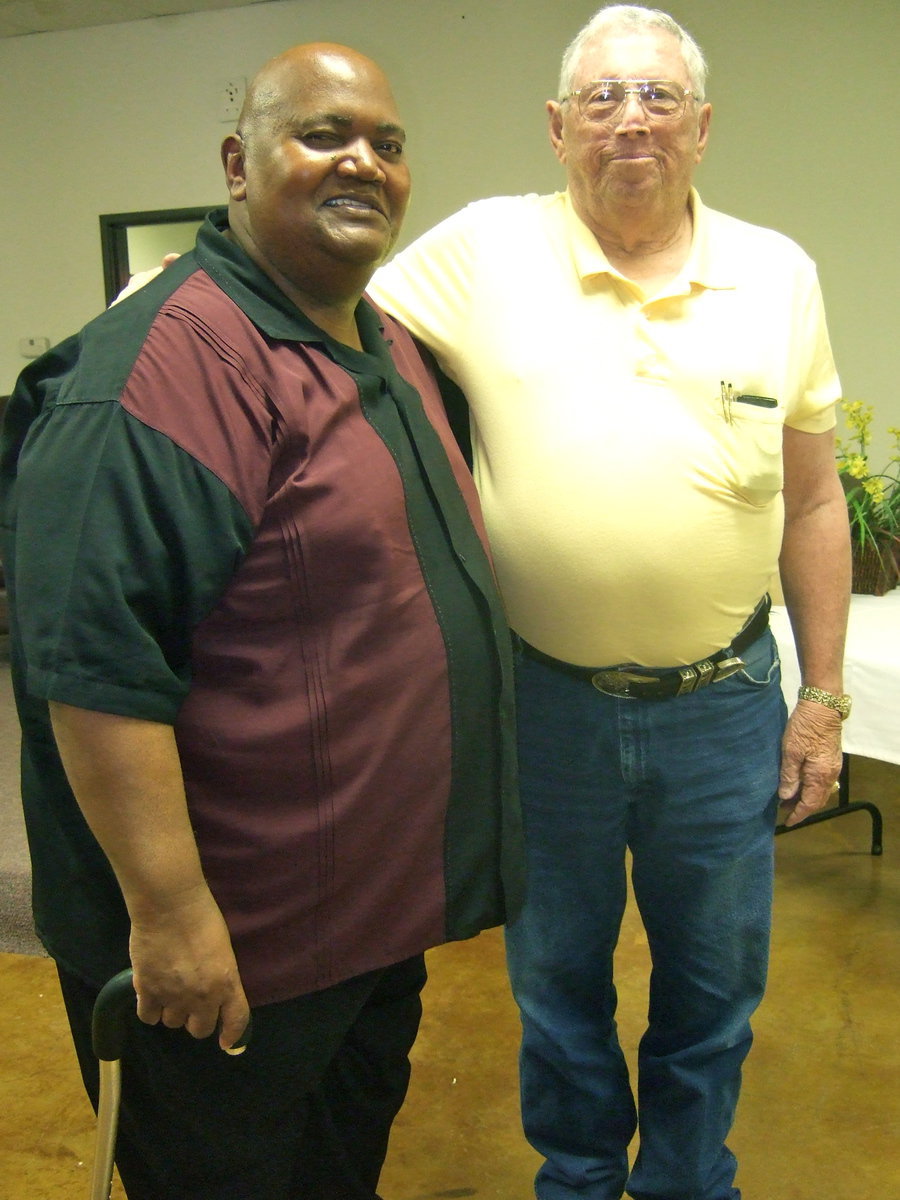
point(185, 971)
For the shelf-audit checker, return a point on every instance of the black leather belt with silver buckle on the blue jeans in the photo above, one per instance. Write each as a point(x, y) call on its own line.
point(646, 683)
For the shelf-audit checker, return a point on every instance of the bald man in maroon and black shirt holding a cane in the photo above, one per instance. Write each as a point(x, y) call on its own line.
point(262, 669)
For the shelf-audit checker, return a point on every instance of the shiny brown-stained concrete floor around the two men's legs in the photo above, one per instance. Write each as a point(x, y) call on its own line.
point(821, 1107)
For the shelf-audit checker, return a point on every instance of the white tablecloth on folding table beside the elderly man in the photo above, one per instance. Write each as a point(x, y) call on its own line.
point(872, 674)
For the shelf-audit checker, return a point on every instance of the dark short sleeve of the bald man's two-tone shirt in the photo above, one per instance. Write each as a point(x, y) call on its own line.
point(125, 542)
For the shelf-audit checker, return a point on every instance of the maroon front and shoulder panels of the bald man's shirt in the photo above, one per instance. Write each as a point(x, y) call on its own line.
point(320, 681)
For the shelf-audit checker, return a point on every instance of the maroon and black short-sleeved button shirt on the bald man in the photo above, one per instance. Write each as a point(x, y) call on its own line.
point(220, 519)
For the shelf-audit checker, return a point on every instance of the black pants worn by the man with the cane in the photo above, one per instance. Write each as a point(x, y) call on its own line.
point(304, 1114)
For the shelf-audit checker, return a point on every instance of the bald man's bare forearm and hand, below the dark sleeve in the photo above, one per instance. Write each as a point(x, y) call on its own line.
point(127, 777)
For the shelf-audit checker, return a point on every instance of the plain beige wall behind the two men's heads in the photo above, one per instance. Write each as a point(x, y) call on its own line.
point(124, 118)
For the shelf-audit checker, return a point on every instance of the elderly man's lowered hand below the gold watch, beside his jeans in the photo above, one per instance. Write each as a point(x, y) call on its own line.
point(811, 760)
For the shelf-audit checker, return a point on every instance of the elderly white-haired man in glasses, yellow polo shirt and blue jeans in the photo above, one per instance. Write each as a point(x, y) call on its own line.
point(652, 397)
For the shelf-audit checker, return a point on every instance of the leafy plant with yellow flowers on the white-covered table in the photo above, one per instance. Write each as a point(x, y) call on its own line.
point(873, 499)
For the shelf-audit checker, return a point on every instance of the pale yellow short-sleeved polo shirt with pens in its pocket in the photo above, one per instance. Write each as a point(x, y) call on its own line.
point(635, 515)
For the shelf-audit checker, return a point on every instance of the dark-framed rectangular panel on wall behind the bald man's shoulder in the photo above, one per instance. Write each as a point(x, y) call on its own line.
point(136, 242)
